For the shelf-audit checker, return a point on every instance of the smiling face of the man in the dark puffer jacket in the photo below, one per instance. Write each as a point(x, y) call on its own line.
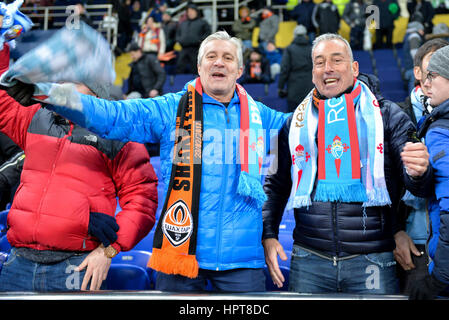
point(333, 69)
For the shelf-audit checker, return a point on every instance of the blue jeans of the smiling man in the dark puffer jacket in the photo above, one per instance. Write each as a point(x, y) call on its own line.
point(373, 273)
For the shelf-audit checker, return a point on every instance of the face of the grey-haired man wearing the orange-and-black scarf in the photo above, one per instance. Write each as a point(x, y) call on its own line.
point(219, 69)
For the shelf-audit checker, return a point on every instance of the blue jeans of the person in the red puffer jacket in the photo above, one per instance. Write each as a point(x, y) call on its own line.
point(20, 274)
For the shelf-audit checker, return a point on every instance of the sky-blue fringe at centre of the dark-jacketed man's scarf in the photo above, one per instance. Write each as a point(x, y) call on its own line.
point(344, 192)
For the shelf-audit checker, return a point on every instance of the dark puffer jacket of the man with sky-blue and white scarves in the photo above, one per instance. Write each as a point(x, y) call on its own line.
point(340, 229)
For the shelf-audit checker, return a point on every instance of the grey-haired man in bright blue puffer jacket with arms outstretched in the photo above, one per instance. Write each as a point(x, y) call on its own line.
point(213, 139)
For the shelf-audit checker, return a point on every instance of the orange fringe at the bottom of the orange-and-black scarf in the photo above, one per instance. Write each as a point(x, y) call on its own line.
point(173, 263)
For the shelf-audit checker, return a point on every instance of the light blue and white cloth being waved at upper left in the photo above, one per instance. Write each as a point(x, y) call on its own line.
point(80, 55)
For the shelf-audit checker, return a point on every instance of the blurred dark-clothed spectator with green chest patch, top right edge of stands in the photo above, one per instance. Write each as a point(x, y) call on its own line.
point(389, 11)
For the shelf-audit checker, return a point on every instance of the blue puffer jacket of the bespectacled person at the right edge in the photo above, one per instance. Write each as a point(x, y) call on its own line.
point(437, 141)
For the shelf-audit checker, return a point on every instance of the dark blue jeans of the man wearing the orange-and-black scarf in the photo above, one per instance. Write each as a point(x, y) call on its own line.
point(236, 280)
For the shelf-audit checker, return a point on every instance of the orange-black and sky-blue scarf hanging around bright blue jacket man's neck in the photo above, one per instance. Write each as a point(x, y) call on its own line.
point(174, 244)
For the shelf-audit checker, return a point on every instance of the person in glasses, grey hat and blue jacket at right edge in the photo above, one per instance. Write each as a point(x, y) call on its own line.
point(436, 131)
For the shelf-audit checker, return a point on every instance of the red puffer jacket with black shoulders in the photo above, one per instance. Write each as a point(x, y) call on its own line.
point(69, 172)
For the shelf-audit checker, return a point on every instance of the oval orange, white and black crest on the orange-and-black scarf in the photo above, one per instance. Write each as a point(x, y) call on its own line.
point(177, 224)
